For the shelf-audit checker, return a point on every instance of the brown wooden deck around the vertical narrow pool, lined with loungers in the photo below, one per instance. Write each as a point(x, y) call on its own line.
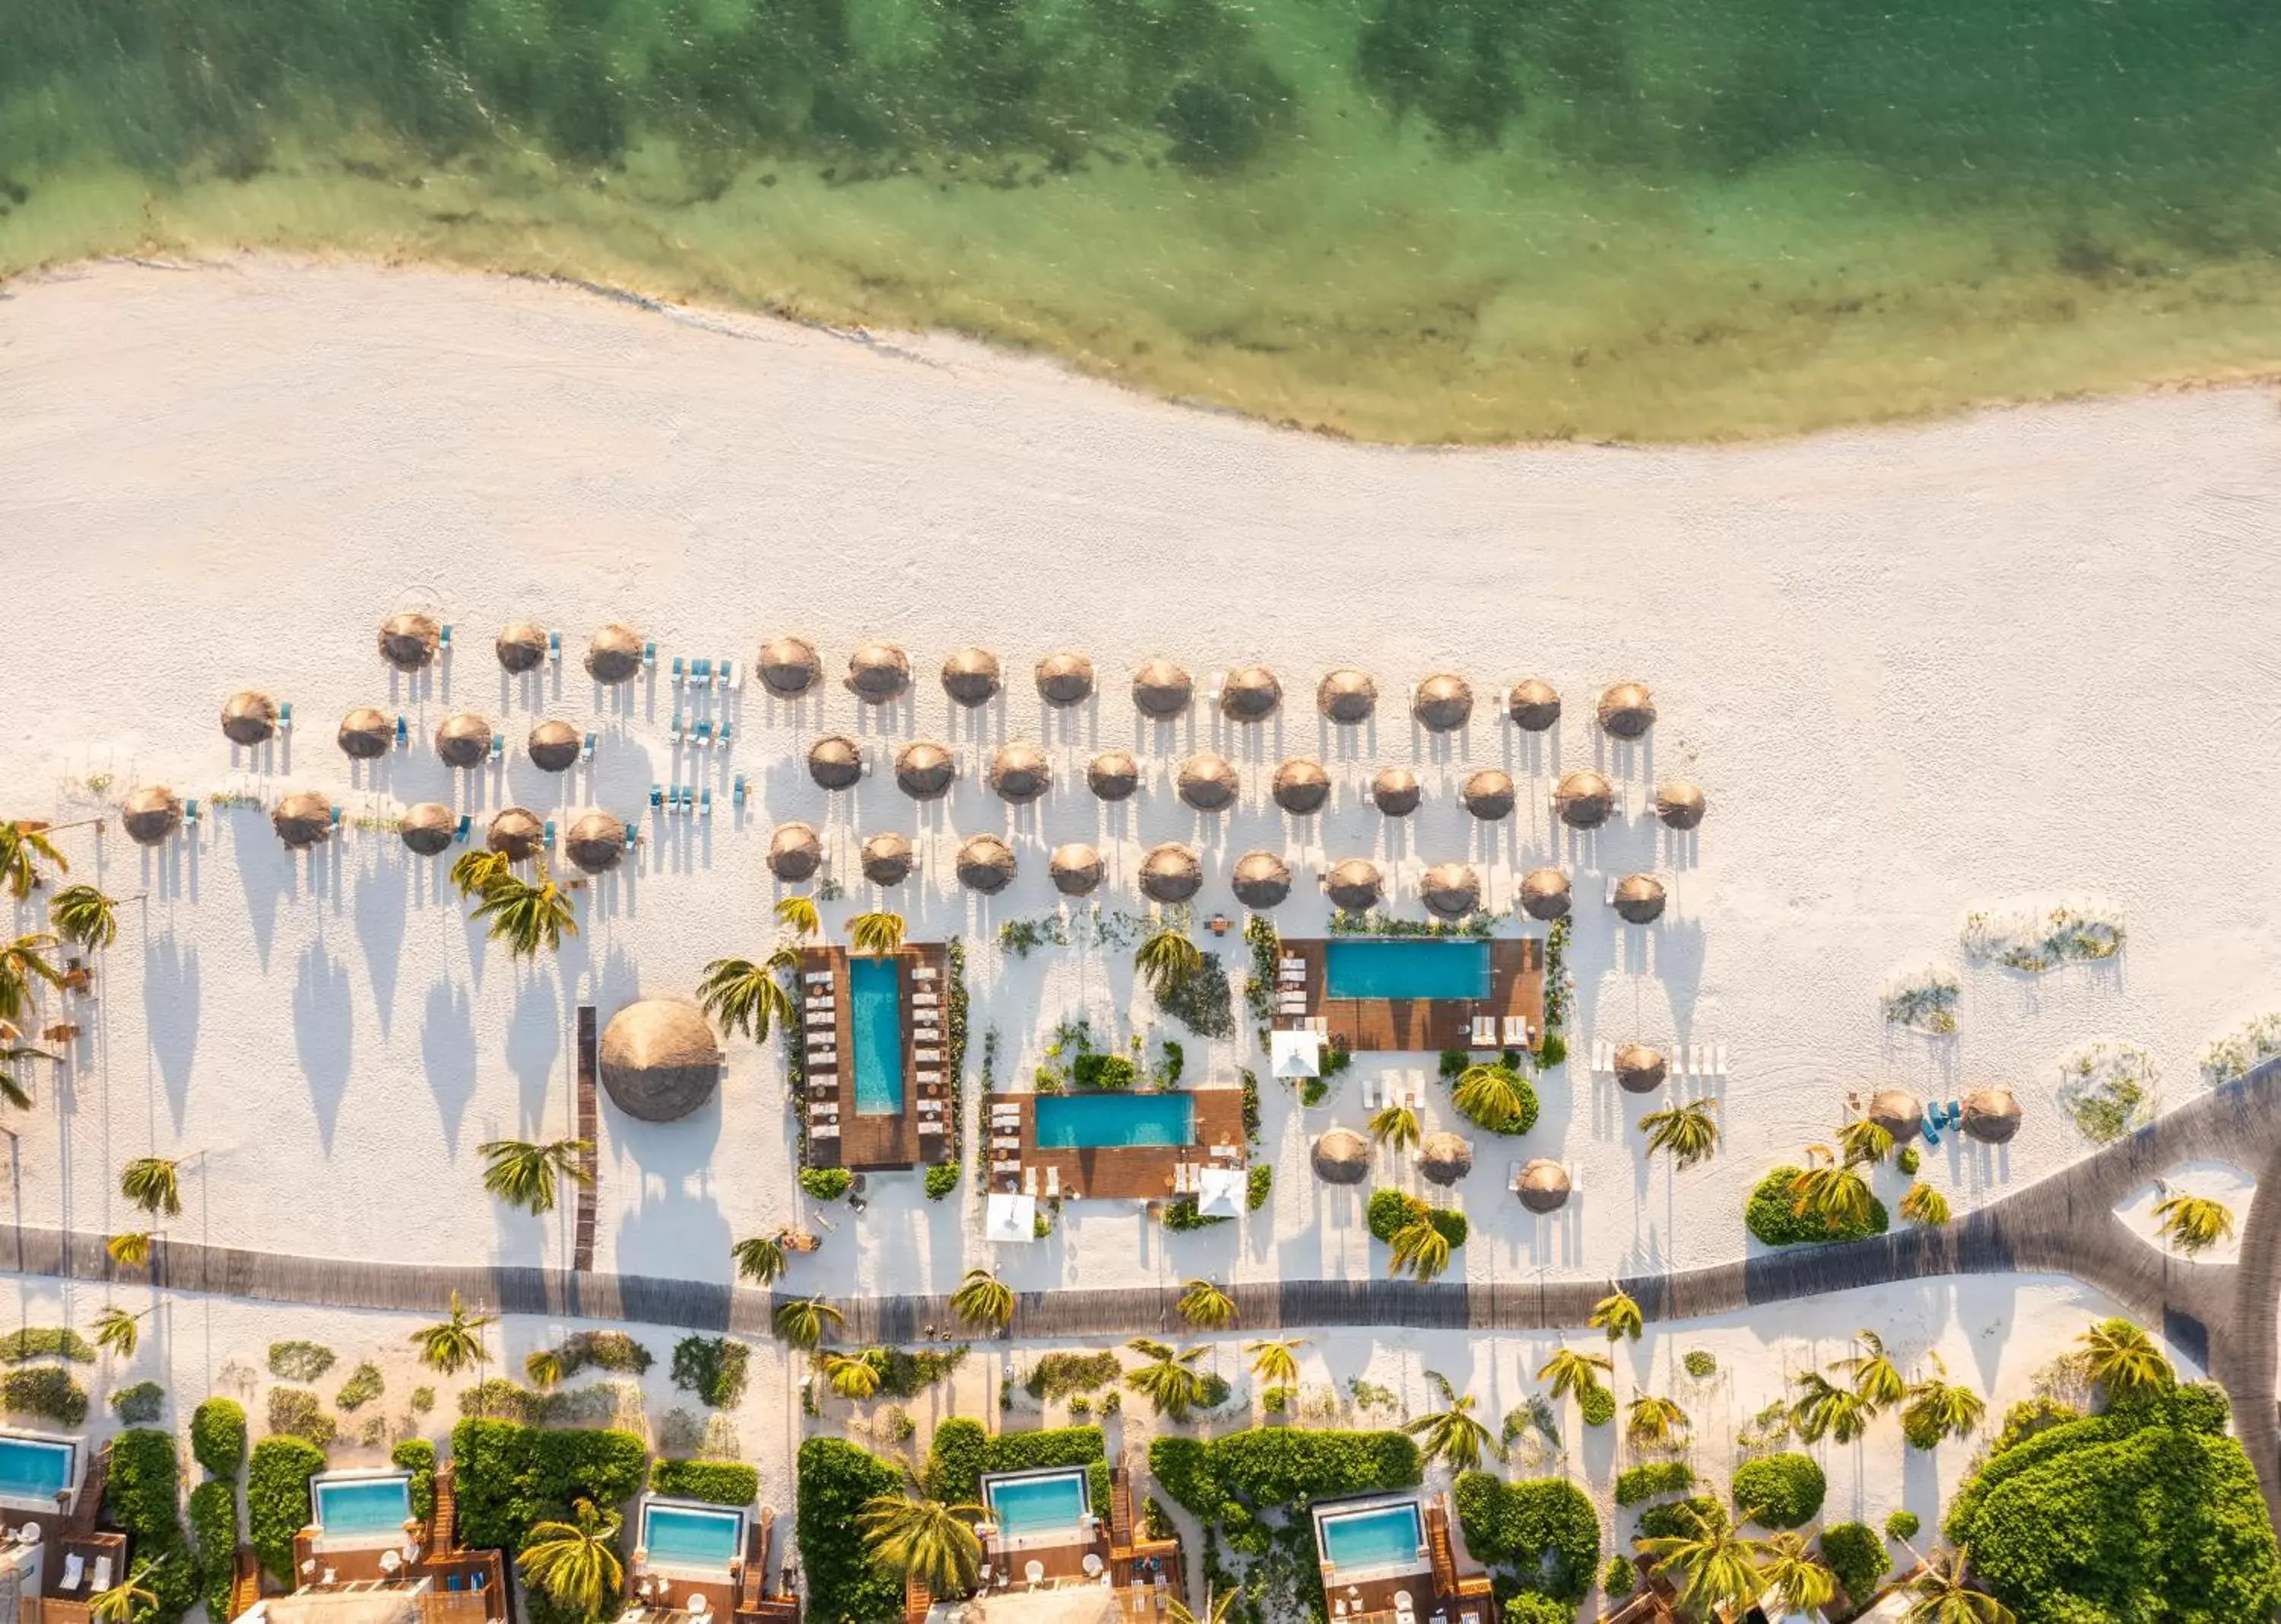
point(882, 1142)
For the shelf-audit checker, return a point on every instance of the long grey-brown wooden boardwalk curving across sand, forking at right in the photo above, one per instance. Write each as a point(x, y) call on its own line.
point(2223, 1315)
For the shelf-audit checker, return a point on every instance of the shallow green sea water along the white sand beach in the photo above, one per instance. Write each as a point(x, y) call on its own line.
point(1399, 218)
